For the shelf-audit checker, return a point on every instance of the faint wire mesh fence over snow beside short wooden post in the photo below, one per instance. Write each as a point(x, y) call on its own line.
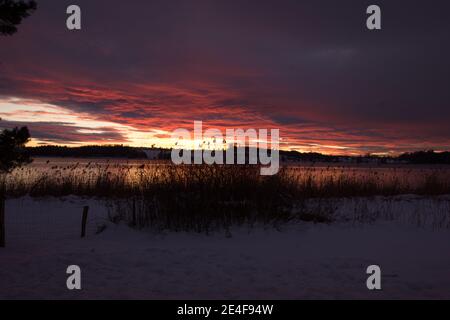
point(30, 220)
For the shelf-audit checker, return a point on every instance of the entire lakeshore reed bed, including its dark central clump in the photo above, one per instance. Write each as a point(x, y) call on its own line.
point(203, 198)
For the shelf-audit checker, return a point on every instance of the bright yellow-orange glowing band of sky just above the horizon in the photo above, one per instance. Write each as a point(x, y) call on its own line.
point(31, 112)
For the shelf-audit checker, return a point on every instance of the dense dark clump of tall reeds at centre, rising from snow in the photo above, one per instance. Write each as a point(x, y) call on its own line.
point(203, 198)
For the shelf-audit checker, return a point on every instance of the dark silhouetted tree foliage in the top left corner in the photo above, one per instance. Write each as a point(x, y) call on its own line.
point(11, 14)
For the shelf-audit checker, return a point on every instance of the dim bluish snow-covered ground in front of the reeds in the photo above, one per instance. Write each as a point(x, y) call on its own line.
point(299, 261)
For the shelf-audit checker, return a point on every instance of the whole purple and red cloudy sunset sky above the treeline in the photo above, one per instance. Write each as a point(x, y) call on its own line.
point(139, 69)
